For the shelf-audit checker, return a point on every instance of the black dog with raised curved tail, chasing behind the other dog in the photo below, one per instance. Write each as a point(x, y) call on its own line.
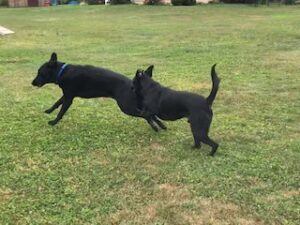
point(168, 104)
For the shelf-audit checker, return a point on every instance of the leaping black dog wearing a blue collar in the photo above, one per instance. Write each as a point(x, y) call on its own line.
point(89, 82)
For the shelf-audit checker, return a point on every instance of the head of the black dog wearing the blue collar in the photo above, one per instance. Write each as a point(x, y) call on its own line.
point(47, 72)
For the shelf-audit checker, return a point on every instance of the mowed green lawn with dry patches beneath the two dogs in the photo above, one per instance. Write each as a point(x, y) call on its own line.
point(99, 166)
